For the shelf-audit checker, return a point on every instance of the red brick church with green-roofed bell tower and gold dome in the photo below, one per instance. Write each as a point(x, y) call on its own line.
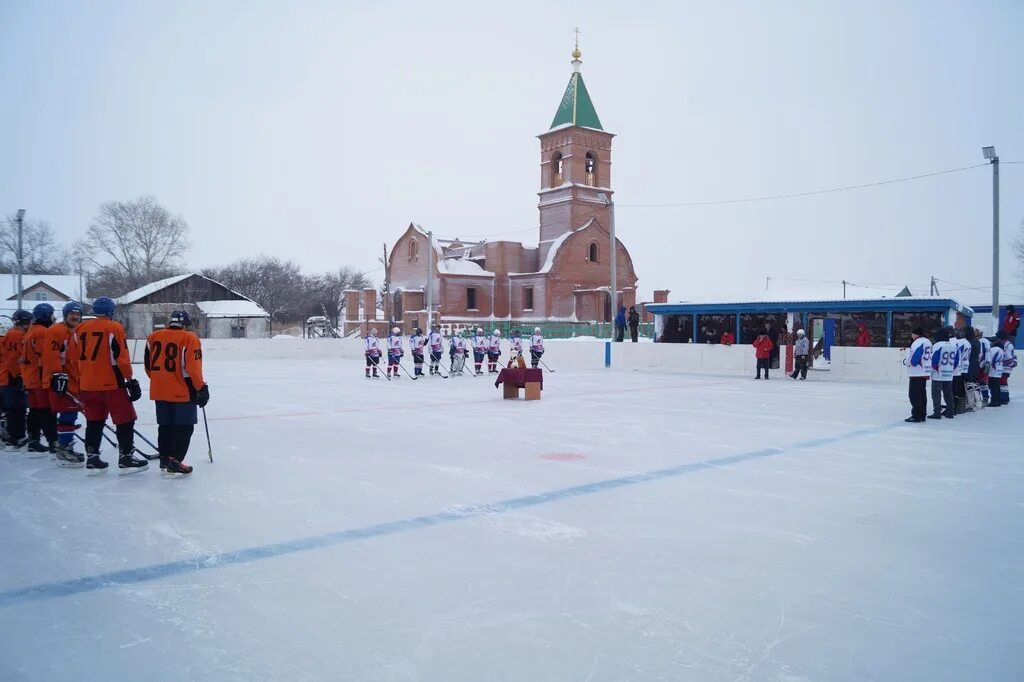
point(566, 277)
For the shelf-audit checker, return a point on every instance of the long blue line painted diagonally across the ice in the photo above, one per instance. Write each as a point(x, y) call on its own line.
point(157, 572)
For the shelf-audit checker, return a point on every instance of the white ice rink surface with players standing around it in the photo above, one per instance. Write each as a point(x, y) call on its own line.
point(628, 527)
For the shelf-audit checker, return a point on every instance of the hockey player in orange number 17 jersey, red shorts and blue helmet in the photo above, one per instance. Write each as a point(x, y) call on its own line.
point(104, 367)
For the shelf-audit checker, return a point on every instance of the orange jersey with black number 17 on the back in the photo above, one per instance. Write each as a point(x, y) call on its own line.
point(100, 355)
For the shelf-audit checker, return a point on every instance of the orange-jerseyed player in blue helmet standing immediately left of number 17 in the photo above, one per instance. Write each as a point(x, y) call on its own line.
point(60, 375)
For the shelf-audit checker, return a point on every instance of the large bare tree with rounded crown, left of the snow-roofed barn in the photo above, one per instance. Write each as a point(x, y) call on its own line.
point(135, 243)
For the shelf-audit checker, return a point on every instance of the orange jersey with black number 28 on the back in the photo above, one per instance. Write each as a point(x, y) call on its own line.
point(172, 357)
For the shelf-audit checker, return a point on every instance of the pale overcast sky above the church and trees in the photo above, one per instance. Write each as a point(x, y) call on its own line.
point(319, 131)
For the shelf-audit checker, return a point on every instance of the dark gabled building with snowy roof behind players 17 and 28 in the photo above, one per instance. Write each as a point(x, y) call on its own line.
point(218, 312)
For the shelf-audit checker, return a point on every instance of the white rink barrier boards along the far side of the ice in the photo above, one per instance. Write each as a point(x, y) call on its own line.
point(881, 365)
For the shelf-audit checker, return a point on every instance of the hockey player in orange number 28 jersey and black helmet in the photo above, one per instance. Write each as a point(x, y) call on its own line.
point(175, 365)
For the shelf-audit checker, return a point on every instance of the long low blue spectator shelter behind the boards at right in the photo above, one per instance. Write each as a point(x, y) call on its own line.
point(879, 323)
